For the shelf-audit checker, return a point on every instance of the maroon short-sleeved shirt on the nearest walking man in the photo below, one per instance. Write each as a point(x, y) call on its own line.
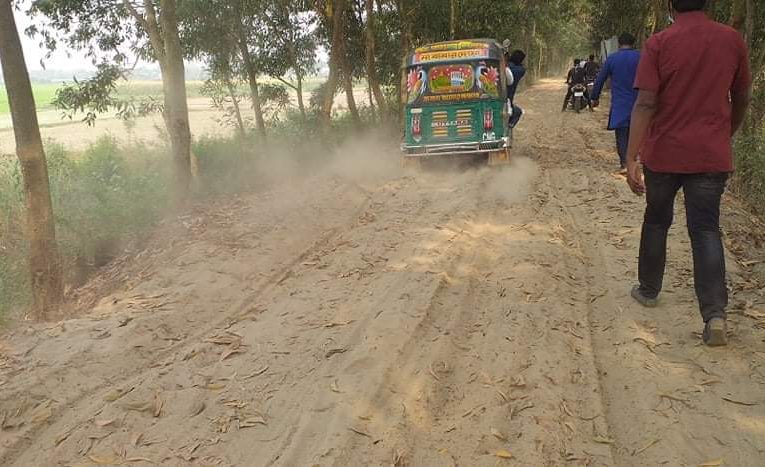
point(693, 66)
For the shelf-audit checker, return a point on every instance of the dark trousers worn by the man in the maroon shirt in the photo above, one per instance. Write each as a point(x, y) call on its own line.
point(703, 193)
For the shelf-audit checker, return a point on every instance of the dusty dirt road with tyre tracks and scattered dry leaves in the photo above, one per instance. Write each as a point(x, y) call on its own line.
point(364, 316)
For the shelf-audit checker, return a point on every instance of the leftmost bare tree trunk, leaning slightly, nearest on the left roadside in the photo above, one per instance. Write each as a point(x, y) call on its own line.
point(44, 261)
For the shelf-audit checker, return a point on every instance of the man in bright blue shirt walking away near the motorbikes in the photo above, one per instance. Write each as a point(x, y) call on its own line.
point(621, 67)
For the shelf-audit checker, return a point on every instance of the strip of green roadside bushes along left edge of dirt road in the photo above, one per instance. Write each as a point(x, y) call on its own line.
point(111, 194)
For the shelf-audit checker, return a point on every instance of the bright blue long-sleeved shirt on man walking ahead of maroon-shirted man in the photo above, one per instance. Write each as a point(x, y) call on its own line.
point(621, 67)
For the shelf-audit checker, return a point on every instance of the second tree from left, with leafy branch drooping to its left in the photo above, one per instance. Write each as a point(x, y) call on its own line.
point(106, 30)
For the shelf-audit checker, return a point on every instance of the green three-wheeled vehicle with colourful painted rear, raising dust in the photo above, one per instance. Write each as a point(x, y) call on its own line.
point(454, 97)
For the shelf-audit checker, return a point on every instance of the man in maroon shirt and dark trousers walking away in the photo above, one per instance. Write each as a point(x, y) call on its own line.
point(694, 87)
